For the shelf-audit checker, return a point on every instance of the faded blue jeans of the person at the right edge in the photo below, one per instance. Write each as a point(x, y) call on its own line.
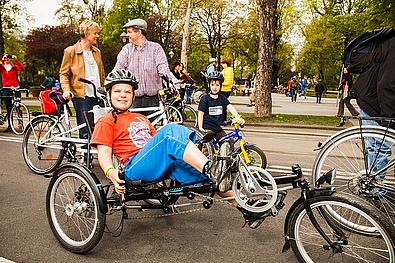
point(378, 152)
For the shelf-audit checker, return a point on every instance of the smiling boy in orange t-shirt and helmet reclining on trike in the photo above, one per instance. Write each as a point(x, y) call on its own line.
point(149, 155)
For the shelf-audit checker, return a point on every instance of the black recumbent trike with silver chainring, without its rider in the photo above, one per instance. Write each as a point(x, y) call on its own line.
point(320, 226)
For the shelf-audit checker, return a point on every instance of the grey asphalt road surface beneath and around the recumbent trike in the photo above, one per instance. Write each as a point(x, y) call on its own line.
point(212, 235)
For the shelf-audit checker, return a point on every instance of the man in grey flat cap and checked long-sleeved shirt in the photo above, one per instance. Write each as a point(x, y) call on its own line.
point(146, 60)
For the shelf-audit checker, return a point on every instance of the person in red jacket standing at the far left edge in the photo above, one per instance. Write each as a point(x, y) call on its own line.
point(9, 67)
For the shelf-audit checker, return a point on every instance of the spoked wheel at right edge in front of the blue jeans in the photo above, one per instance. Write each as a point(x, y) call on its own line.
point(346, 152)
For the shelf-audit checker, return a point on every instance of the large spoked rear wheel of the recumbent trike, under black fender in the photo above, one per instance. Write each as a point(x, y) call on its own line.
point(73, 211)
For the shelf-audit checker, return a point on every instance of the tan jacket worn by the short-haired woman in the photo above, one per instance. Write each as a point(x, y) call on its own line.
point(73, 68)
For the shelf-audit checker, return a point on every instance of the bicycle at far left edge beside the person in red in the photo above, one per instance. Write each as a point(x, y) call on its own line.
point(19, 115)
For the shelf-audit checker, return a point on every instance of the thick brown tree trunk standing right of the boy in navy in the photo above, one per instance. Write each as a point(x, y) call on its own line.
point(264, 71)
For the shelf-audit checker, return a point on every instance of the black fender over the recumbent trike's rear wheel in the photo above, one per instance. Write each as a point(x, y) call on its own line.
point(98, 190)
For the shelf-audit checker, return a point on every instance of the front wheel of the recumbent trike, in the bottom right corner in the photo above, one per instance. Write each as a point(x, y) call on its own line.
point(309, 246)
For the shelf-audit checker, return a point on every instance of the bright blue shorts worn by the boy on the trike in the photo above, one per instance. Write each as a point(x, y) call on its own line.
point(162, 156)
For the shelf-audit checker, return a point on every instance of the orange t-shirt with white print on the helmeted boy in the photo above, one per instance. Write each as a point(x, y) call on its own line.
point(126, 137)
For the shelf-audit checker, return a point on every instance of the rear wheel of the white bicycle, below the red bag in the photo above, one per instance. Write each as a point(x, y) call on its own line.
point(41, 153)
